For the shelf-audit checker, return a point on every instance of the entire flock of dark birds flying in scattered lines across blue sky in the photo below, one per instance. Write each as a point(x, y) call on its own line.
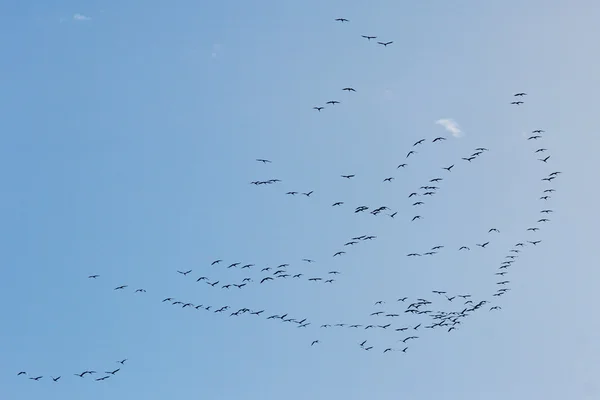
point(404, 318)
